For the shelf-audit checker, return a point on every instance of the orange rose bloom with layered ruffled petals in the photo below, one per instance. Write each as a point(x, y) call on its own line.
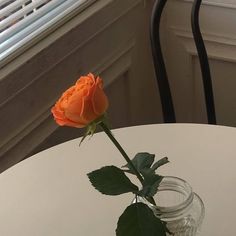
point(82, 103)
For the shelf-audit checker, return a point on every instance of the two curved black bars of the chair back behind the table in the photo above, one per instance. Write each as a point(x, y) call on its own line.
point(160, 69)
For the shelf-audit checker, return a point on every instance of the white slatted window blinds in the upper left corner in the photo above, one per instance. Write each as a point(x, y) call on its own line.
point(23, 20)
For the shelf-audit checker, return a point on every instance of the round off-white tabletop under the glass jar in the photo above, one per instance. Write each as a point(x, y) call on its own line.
point(49, 194)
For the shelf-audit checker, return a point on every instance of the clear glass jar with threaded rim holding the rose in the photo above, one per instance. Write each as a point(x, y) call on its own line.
point(178, 206)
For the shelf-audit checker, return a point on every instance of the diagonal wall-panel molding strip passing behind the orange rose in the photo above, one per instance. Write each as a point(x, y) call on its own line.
point(43, 125)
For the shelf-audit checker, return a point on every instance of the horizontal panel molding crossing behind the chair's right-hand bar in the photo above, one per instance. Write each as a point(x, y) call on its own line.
point(219, 47)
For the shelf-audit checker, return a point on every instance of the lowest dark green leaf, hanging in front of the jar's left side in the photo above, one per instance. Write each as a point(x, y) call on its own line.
point(138, 220)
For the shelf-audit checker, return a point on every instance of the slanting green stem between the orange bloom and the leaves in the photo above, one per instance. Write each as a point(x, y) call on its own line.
point(123, 153)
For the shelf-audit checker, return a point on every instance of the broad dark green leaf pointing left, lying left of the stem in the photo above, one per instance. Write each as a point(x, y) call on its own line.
point(111, 180)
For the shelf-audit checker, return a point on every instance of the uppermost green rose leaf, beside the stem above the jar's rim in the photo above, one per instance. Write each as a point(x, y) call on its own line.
point(141, 161)
